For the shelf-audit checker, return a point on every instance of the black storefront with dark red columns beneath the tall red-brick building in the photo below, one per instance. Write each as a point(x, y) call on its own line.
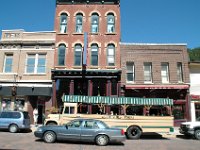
point(86, 83)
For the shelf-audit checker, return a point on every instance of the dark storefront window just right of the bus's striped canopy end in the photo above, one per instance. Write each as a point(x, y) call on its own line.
point(178, 111)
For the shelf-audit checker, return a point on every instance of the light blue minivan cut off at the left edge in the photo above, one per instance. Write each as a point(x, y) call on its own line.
point(14, 120)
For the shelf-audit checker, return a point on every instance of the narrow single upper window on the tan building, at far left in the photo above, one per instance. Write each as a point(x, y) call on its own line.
point(8, 62)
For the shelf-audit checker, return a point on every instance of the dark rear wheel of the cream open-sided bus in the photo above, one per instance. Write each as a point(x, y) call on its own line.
point(134, 132)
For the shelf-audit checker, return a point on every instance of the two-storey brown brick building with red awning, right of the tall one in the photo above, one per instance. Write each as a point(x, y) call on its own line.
point(156, 71)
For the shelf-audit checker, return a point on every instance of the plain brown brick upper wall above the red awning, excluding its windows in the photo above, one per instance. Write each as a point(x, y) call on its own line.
point(156, 54)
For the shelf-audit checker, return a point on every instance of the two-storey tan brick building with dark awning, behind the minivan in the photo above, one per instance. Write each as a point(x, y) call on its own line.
point(25, 70)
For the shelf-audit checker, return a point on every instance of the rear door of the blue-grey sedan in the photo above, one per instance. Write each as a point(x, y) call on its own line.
point(89, 130)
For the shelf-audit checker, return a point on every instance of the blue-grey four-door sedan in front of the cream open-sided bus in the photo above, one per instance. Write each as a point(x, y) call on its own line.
point(89, 130)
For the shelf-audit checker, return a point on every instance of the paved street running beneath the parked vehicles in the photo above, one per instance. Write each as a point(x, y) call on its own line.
point(27, 141)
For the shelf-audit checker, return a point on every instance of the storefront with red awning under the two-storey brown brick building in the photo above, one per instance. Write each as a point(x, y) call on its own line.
point(179, 93)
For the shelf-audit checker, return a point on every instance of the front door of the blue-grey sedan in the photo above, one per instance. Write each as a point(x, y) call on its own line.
point(72, 131)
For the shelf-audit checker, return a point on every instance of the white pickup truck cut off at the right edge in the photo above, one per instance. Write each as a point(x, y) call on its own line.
point(191, 128)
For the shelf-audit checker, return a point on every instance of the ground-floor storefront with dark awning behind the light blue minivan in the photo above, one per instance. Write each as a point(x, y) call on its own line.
point(25, 98)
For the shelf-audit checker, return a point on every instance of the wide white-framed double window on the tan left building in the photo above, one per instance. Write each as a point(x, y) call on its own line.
point(36, 63)
